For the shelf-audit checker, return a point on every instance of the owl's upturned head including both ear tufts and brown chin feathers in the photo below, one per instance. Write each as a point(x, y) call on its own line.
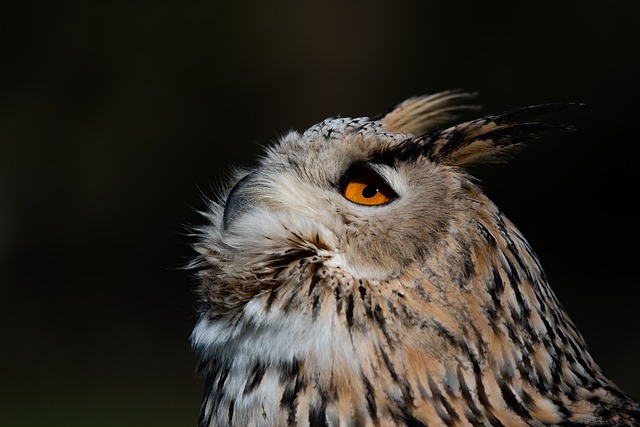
point(370, 196)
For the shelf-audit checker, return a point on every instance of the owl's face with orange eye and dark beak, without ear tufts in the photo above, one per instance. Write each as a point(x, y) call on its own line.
point(339, 187)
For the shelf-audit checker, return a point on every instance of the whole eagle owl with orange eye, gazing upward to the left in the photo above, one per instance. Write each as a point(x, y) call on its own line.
point(358, 276)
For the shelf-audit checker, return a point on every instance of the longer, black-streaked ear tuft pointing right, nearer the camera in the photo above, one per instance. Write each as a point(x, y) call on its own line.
point(491, 138)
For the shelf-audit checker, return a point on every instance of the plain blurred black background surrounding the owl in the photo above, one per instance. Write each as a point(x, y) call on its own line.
point(116, 117)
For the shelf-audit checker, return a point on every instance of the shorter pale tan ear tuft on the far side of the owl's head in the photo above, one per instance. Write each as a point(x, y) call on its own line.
point(424, 114)
